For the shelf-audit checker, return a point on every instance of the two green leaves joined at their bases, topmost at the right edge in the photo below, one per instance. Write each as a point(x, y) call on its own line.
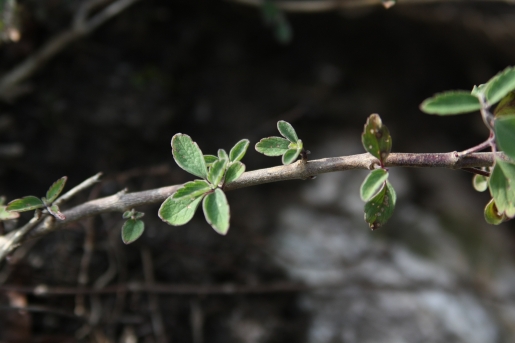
point(458, 102)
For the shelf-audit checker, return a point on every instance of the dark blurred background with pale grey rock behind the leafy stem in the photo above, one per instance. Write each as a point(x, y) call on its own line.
point(299, 263)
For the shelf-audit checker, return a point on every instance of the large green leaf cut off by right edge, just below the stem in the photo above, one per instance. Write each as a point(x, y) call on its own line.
point(502, 187)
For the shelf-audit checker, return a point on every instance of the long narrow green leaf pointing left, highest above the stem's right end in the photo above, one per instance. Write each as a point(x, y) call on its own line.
point(451, 102)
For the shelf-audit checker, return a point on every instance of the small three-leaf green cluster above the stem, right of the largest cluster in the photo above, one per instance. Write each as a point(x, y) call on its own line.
point(289, 147)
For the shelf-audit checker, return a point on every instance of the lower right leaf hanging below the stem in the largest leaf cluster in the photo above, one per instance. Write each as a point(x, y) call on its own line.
point(216, 211)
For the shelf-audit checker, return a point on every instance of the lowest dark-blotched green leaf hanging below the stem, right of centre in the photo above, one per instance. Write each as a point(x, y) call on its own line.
point(380, 208)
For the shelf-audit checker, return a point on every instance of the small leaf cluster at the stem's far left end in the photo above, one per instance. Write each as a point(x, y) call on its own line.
point(31, 202)
